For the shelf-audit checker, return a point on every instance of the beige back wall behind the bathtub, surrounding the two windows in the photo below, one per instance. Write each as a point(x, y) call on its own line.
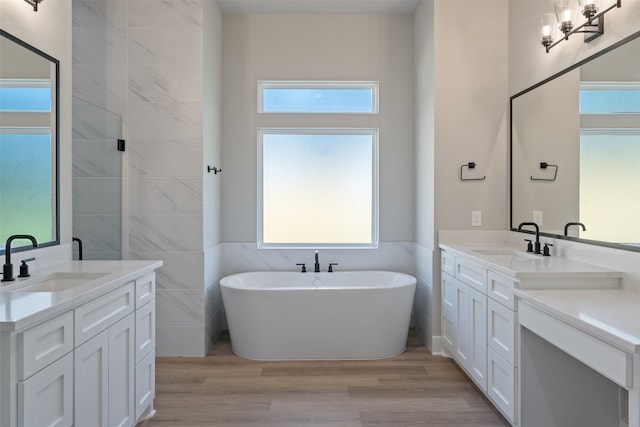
point(317, 47)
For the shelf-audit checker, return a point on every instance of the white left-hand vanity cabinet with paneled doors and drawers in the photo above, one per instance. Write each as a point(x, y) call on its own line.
point(90, 363)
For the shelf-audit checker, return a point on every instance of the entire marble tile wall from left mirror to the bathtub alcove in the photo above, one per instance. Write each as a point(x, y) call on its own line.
point(138, 70)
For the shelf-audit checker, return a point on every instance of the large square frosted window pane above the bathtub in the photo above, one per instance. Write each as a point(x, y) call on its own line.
point(318, 188)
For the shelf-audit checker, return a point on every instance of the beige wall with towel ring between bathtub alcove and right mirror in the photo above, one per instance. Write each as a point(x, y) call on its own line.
point(461, 117)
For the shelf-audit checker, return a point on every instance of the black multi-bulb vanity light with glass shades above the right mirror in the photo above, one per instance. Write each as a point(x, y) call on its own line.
point(565, 16)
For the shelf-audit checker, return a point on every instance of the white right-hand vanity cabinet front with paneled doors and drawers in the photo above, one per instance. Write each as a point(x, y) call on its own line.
point(479, 327)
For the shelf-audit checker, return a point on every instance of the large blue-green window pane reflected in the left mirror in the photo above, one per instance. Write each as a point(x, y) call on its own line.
point(27, 201)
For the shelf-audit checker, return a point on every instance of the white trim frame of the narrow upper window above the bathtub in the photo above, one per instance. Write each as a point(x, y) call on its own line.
point(311, 84)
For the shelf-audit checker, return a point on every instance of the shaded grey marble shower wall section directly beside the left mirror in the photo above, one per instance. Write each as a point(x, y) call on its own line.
point(99, 113)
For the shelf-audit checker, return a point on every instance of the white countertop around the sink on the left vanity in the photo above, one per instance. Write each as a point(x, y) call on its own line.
point(19, 307)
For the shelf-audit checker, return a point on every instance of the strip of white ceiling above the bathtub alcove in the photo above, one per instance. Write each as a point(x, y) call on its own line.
point(385, 7)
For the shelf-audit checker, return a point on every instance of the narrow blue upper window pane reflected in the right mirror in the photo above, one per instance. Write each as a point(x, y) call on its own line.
point(609, 101)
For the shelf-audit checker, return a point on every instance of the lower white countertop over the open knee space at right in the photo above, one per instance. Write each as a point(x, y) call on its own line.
point(612, 315)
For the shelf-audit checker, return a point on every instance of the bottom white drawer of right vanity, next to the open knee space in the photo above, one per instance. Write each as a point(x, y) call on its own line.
point(501, 384)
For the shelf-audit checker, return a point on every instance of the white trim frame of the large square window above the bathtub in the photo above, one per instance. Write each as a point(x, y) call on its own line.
point(374, 188)
